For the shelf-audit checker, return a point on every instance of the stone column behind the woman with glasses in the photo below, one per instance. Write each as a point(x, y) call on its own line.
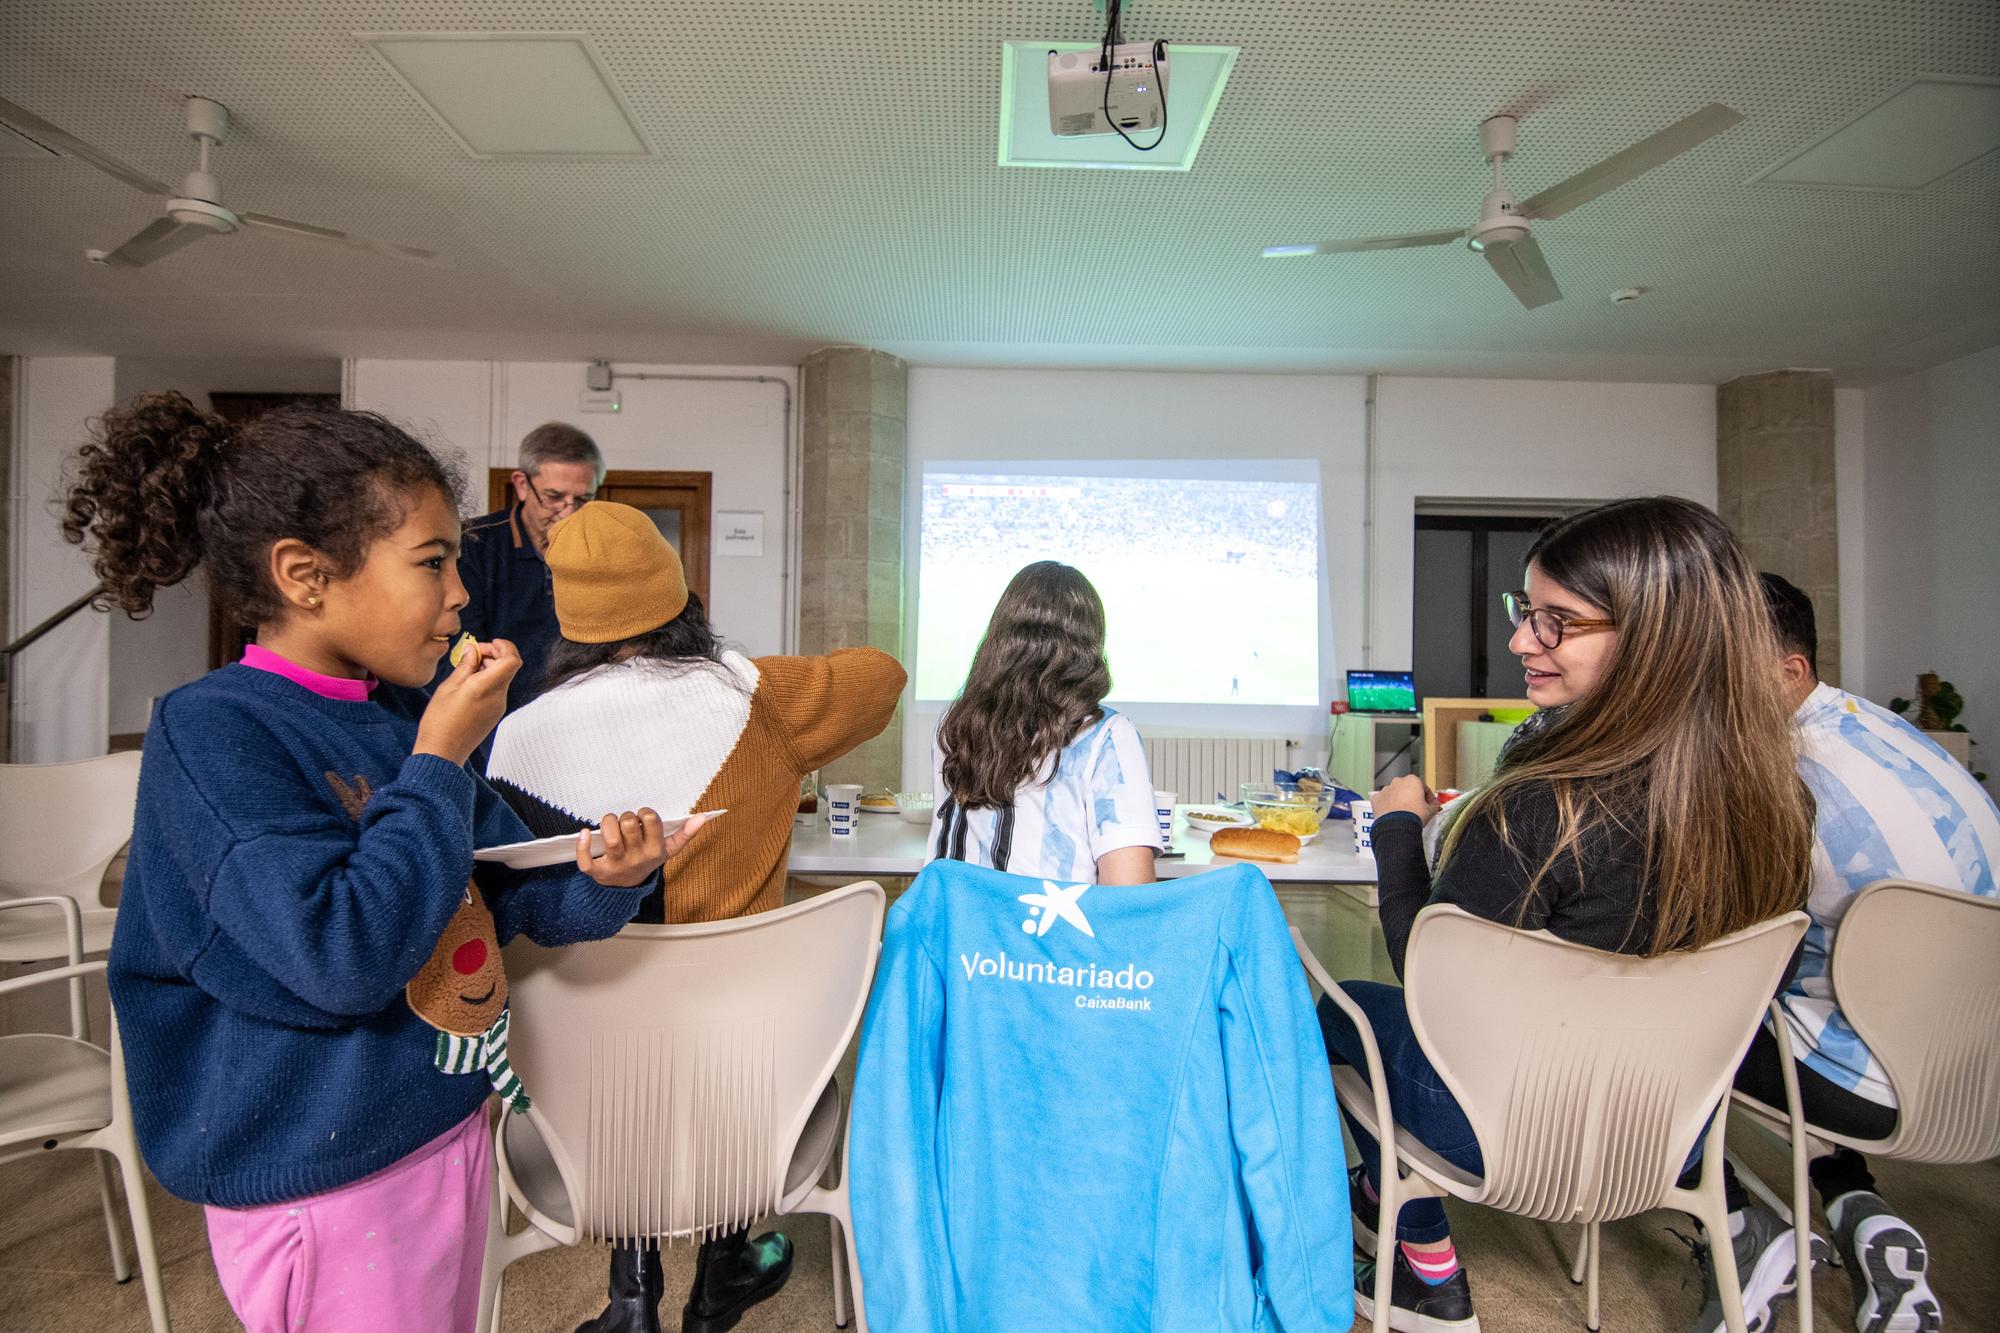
point(1775, 485)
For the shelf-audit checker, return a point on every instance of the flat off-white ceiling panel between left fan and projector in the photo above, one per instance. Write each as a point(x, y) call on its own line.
point(515, 95)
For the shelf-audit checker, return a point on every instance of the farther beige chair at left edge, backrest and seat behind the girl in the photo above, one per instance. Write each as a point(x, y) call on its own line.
point(61, 828)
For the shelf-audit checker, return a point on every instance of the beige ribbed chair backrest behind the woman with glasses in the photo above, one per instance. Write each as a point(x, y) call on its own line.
point(1587, 1076)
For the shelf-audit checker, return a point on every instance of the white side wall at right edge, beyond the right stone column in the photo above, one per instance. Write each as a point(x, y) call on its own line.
point(1931, 465)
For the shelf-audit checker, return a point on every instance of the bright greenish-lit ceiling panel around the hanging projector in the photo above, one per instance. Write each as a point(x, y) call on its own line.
point(1193, 91)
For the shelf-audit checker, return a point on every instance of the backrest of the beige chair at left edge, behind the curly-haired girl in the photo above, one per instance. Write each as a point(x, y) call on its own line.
point(63, 826)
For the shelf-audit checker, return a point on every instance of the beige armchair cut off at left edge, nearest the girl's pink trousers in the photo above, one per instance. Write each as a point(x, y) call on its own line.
point(69, 1094)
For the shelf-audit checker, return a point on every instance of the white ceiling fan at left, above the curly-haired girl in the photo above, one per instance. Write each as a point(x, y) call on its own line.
point(197, 209)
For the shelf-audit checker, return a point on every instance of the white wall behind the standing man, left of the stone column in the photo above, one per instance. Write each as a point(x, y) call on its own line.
point(735, 431)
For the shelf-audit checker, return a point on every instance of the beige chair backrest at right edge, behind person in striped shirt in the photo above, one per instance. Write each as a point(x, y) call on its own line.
point(1917, 972)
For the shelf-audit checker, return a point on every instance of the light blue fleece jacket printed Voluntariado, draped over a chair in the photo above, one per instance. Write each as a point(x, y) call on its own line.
point(1095, 1108)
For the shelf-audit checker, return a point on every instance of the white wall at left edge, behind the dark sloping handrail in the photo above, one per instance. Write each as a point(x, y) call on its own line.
point(63, 684)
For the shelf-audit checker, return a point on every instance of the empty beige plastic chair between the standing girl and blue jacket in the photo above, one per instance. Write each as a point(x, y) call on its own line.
point(683, 1082)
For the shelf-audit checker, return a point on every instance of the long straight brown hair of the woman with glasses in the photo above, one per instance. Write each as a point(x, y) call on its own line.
point(1687, 740)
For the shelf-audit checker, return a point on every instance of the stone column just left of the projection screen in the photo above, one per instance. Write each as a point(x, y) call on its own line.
point(851, 525)
